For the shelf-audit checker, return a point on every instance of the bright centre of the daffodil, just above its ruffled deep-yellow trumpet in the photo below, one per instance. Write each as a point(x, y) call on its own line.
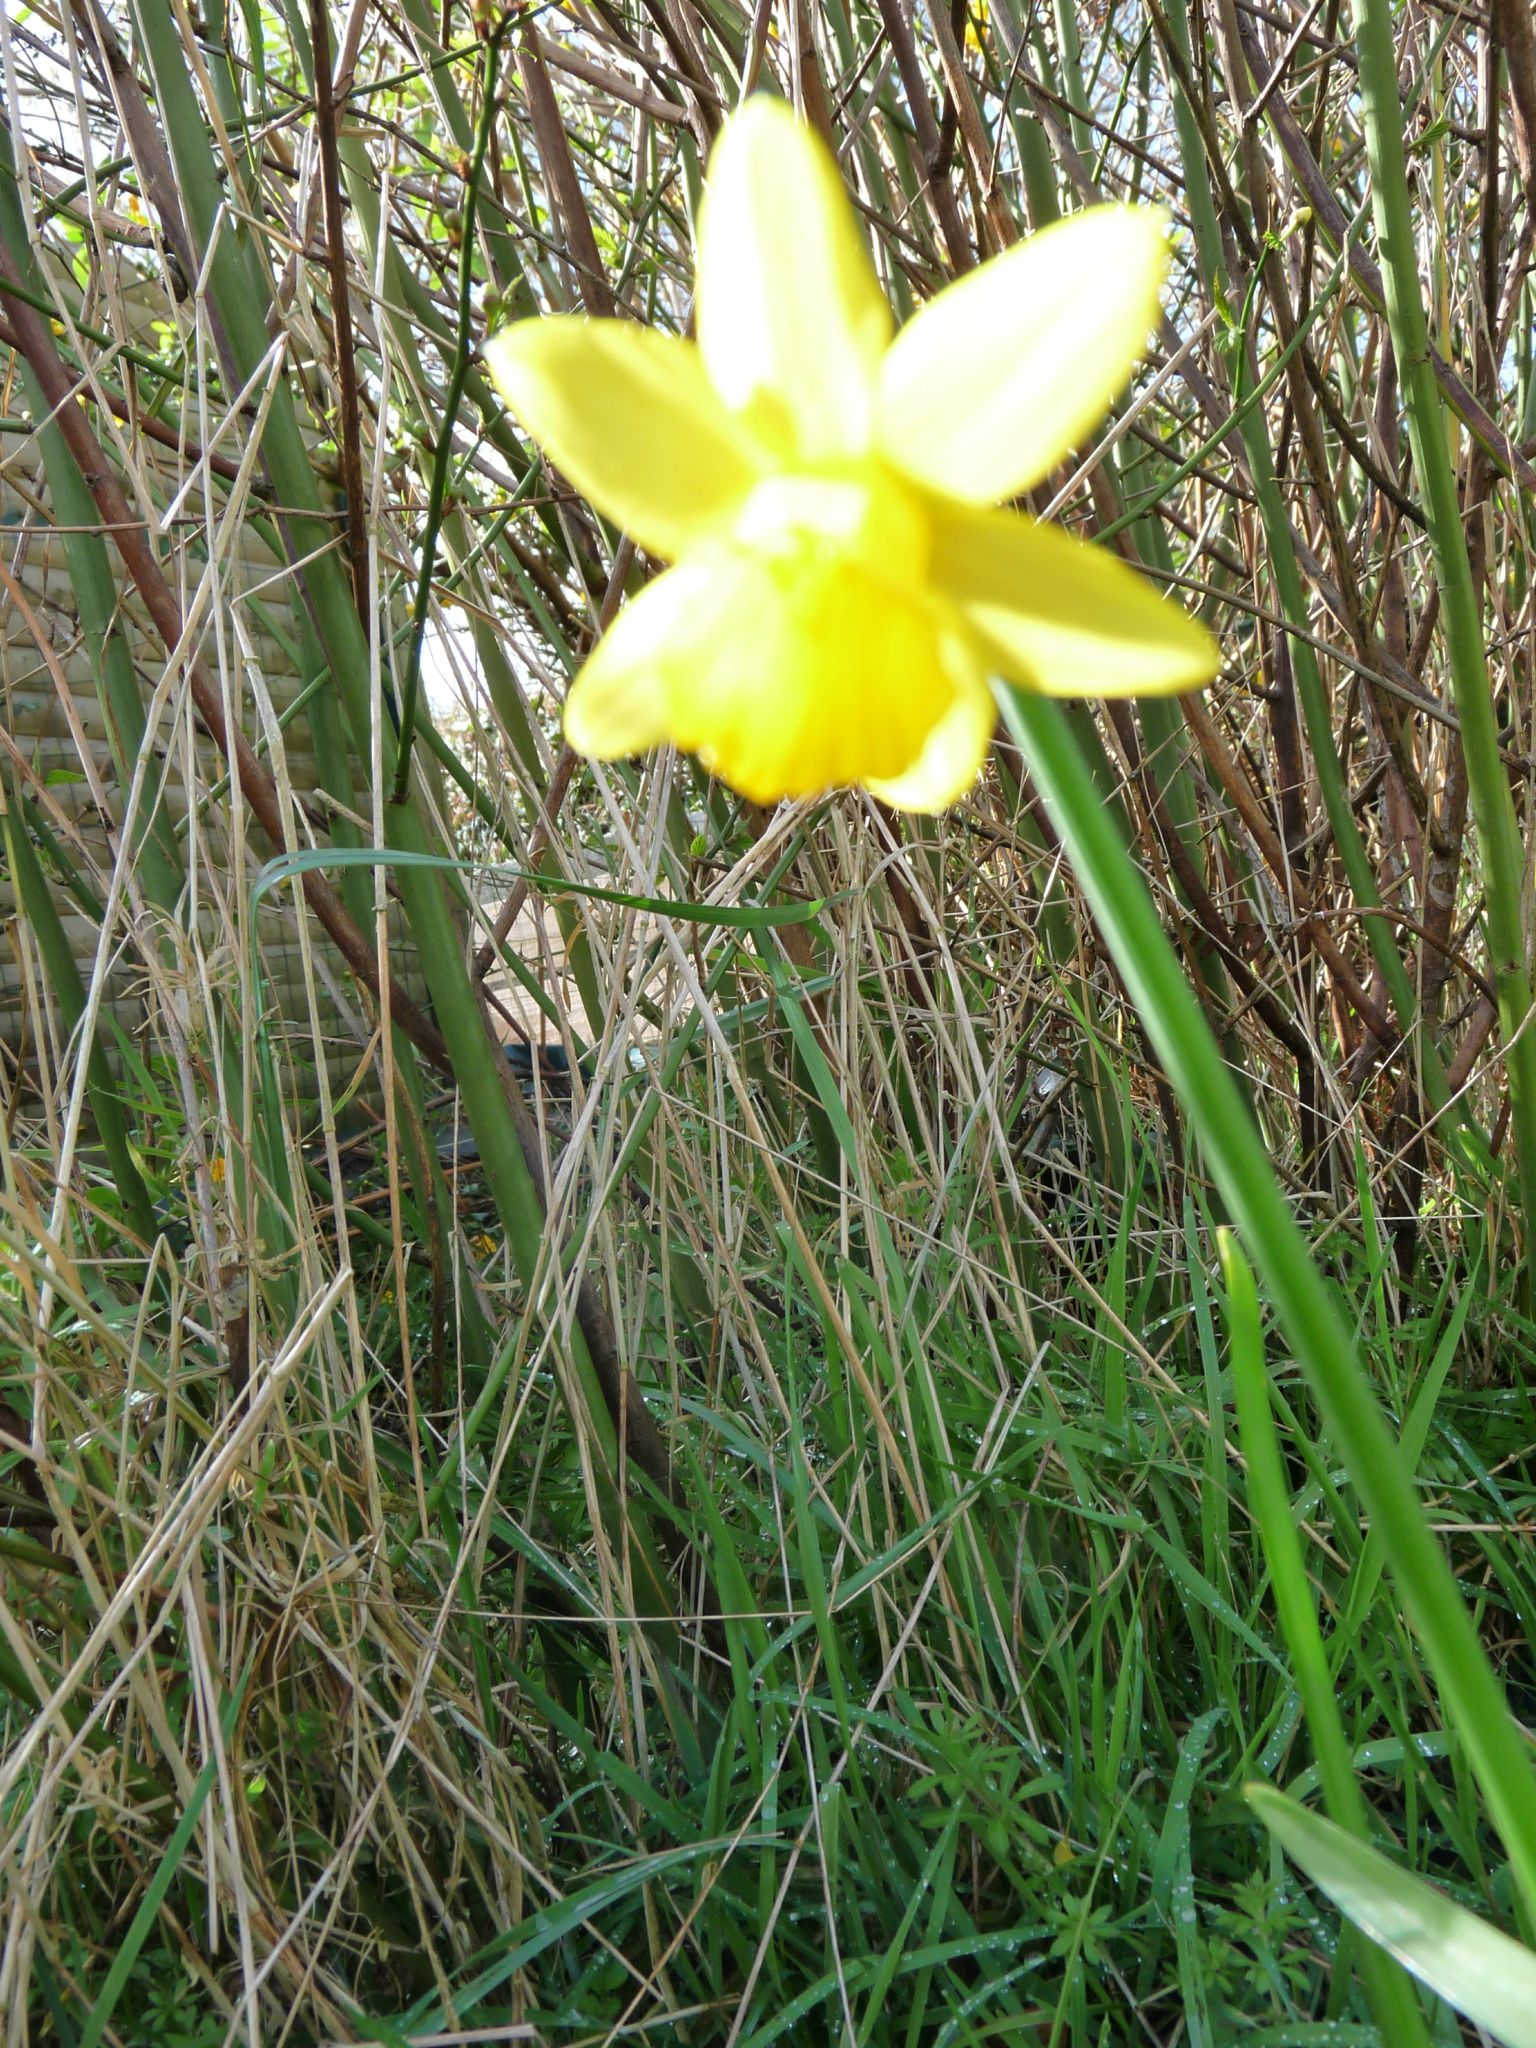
point(861, 517)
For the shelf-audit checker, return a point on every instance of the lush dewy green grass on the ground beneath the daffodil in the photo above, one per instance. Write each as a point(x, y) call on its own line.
point(966, 1752)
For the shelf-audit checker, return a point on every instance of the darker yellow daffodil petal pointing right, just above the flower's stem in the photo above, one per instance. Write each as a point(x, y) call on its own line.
point(1062, 617)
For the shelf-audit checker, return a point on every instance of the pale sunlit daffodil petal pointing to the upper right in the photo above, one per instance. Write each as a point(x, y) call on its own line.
point(1013, 366)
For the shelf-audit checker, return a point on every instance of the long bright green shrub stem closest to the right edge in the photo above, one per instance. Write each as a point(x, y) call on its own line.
point(1494, 814)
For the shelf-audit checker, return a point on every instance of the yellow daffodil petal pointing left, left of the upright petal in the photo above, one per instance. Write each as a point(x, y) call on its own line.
point(632, 419)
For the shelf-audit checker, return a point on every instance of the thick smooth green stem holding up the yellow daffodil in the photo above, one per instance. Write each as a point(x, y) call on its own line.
point(1156, 980)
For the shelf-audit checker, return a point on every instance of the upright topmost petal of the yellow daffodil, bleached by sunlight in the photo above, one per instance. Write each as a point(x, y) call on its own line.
point(792, 318)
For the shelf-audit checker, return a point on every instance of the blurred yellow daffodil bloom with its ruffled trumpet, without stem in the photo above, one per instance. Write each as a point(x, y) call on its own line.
point(843, 587)
